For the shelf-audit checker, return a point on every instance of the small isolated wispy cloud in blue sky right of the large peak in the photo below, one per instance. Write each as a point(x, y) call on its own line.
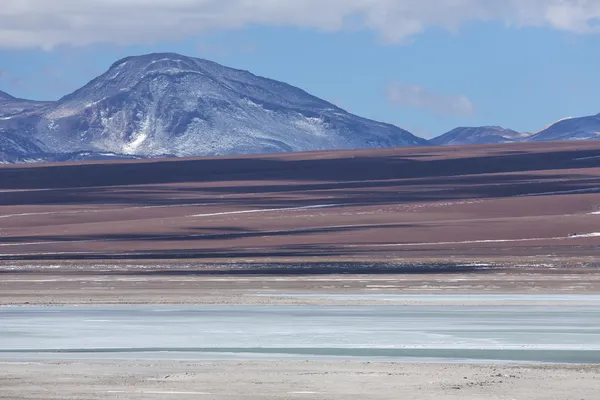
point(418, 97)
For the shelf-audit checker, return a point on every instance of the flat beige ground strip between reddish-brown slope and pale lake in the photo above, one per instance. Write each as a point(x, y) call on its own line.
point(254, 285)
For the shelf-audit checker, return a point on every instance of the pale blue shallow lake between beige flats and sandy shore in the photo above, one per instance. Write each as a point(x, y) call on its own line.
point(545, 333)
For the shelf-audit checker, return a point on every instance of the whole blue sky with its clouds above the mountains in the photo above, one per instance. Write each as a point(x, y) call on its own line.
point(521, 65)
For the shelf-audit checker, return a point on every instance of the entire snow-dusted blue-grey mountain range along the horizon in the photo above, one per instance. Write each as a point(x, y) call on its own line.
point(161, 105)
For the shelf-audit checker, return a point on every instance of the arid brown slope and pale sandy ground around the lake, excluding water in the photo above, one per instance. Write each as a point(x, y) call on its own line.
point(500, 219)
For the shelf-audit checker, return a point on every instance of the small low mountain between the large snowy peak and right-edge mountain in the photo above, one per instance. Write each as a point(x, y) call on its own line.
point(478, 135)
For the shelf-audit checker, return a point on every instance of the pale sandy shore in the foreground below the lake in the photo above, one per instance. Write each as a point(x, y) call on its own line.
point(151, 379)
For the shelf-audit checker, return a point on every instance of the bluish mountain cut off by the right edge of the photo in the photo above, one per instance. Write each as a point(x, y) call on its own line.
point(582, 128)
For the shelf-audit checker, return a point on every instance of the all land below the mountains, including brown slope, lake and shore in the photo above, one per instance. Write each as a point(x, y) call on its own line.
point(406, 231)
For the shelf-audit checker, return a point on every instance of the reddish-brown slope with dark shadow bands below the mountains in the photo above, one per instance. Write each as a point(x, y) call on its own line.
point(476, 202)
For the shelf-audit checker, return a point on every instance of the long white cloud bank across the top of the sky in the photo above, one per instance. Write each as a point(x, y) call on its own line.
point(47, 23)
